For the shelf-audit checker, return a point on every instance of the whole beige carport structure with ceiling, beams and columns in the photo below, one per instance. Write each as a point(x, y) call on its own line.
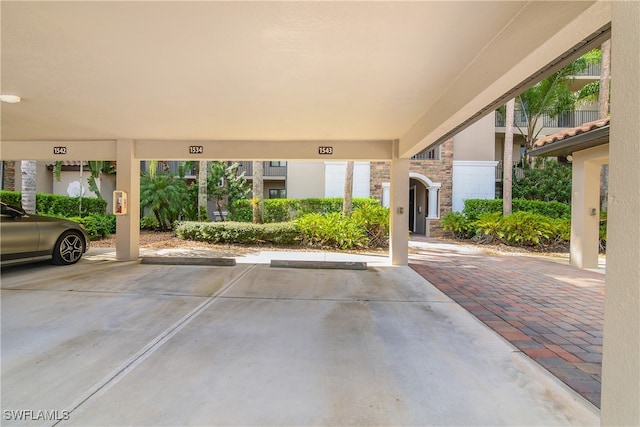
point(127, 81)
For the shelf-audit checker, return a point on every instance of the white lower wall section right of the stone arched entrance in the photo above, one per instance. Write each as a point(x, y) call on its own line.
point(472, 180)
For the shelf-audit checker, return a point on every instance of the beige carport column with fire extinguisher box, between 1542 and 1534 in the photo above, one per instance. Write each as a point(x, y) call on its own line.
point(128, 180)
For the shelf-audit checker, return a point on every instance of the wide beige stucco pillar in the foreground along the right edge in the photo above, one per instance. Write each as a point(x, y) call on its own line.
point(621, 357)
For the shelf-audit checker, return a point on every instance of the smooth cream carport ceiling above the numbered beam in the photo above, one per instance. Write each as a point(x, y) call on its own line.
point(266, 70)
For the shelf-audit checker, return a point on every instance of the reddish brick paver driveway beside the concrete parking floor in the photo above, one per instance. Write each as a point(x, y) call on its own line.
point(551, 311)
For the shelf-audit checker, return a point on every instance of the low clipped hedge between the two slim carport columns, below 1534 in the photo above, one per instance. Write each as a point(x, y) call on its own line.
point(238, 232)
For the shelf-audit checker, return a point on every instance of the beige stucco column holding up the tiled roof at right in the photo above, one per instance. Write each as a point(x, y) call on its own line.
point(585, 211)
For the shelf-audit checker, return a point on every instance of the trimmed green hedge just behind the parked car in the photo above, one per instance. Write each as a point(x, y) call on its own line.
point(58, 205)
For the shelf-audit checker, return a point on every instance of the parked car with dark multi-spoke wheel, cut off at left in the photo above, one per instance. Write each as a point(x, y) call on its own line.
point(25, 238)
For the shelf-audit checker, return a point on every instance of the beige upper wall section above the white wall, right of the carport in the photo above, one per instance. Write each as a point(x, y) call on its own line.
point(477, 142)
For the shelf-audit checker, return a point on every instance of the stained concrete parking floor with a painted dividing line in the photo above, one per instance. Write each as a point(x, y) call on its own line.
point(123, 343)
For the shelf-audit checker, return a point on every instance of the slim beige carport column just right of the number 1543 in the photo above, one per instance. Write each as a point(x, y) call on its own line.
point(399, 205)
